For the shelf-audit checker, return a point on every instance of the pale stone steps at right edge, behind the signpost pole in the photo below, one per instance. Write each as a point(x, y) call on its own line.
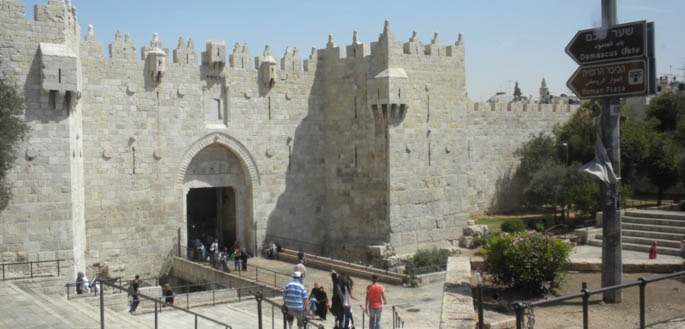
point(642, 227)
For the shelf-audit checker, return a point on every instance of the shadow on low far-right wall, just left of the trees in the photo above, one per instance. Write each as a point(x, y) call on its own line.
point(508, 192)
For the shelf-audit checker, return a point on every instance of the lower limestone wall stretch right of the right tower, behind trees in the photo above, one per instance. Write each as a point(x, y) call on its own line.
point(493, 132)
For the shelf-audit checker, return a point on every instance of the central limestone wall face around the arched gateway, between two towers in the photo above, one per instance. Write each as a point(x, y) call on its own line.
point(141, 137)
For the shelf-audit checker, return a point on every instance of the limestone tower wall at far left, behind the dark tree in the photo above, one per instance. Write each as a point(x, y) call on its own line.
point(44, 220)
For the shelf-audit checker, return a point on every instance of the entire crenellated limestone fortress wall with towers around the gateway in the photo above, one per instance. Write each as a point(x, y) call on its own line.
point(356, 146)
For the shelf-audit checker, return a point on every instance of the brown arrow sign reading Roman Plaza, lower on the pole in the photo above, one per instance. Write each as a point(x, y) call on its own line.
point(610, 79)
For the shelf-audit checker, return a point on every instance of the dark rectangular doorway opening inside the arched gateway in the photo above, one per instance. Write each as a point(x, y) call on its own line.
point(211, 214)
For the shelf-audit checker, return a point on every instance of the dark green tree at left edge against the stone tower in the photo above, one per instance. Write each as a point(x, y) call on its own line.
point(12, 130)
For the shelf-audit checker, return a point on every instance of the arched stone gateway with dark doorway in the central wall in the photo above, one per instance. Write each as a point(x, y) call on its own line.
point(218, 176)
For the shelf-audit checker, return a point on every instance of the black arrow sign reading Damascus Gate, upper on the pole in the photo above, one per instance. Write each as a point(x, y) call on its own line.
point(618, 42)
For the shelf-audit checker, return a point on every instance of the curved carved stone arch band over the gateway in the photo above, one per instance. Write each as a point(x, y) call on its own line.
point(230, 143)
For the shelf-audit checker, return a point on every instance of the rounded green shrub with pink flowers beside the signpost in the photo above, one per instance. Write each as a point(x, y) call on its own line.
point(527, 260)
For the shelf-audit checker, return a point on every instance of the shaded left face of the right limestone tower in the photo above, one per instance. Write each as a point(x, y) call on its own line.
point(356, 169)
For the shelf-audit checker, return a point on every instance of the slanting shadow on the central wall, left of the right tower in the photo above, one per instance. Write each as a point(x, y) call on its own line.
point(298, 219)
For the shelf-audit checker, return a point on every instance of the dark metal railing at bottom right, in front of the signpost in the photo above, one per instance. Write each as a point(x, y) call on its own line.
point(527, 307)
